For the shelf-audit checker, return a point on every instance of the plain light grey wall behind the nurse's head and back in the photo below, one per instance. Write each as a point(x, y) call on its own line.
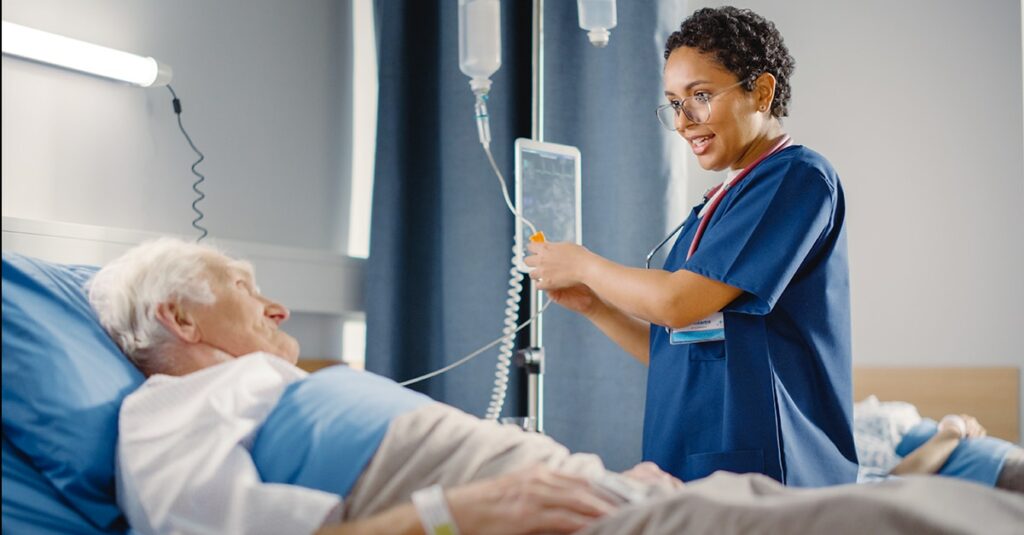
point(919, 106)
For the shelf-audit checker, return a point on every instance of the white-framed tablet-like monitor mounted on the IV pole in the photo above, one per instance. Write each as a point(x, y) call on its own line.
point(547, 192)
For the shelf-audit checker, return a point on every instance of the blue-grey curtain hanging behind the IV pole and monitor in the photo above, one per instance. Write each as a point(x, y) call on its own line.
point(442, 238)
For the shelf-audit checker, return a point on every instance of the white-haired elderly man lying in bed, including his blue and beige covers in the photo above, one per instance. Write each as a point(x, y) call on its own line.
point(228, 436)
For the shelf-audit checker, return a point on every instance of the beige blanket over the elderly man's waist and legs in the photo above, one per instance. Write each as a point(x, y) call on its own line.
point(441, 445)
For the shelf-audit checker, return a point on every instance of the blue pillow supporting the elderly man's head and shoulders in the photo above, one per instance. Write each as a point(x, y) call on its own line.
point(64, 381)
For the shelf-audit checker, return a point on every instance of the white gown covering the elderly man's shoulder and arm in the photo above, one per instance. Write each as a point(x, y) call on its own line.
point(184, 462)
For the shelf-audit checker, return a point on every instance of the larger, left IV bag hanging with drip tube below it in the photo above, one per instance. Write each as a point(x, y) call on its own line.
point(480, 42)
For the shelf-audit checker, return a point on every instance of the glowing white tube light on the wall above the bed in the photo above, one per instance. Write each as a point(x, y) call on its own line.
point(71, 54)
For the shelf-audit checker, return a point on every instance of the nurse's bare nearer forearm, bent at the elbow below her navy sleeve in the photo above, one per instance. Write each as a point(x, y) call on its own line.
point(670, 299)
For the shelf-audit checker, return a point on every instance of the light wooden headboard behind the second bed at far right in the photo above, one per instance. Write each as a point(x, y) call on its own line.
point(992, 395)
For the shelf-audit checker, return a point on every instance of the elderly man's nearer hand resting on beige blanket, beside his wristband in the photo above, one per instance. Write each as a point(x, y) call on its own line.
point(536, 501)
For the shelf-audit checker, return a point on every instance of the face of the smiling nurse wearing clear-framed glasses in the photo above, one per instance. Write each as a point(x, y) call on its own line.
point(728, 140)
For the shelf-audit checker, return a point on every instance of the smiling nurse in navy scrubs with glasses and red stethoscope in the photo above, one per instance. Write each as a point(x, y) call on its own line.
point(747, 330)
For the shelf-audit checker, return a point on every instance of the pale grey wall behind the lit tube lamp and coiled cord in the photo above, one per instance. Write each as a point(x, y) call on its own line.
point(267, 94)
